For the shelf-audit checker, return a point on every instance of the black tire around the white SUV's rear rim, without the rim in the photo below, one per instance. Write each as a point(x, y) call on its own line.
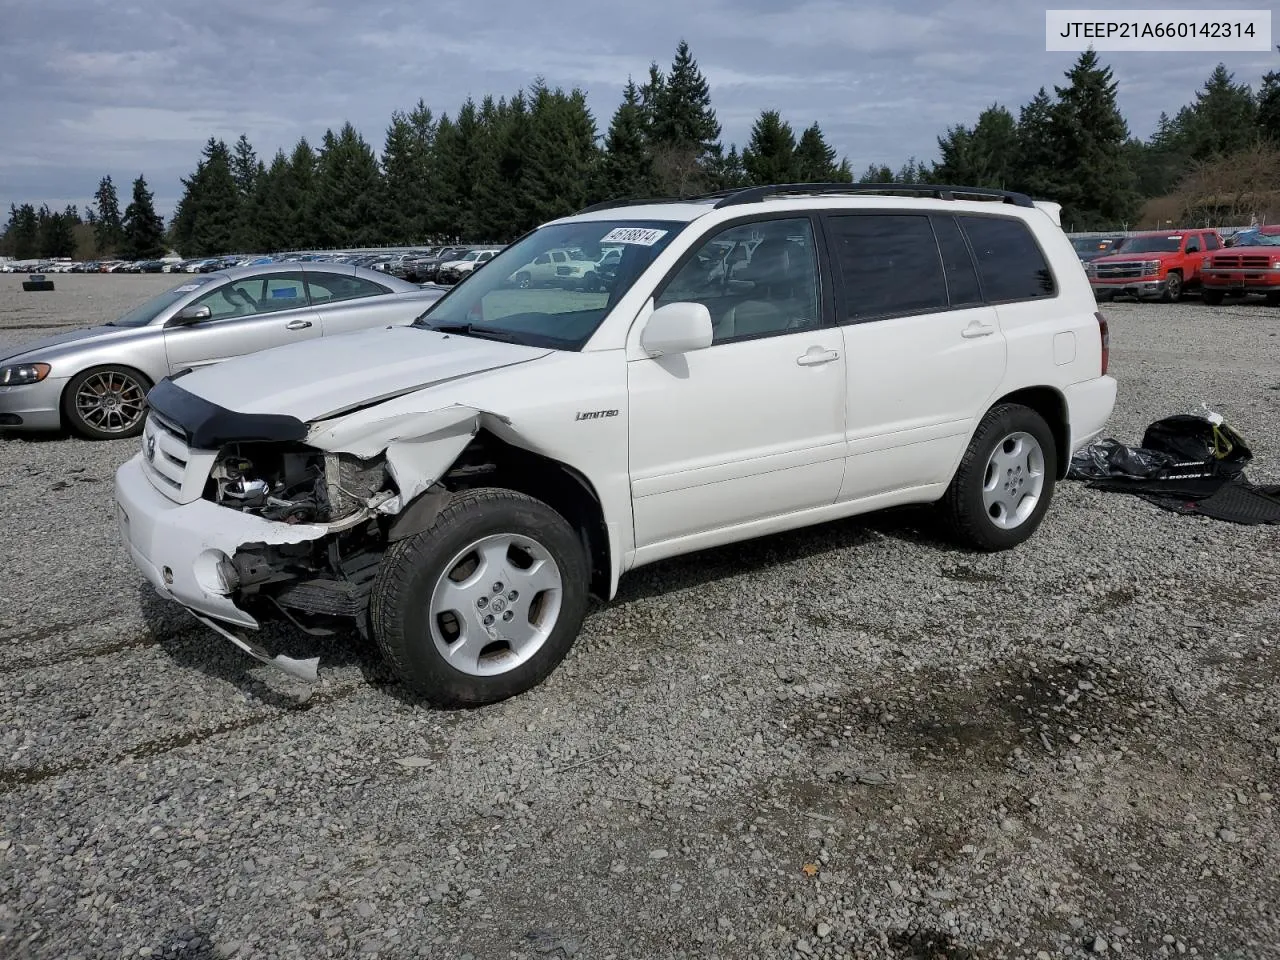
point(963, 508)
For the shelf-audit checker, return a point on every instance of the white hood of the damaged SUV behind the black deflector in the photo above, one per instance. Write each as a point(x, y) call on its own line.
point(332, 376)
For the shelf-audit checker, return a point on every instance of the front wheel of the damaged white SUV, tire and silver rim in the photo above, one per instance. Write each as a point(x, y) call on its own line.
point(484, 604)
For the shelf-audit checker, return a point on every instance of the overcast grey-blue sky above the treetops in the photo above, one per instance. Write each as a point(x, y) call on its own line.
point(90, 88)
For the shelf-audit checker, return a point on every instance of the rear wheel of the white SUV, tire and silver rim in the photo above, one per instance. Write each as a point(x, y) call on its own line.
point(1003, 488)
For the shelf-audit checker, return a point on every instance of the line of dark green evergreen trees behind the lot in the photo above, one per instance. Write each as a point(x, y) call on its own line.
point(501, 167)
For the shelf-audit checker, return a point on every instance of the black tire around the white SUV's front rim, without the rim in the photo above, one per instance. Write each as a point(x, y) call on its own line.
point(412, 570)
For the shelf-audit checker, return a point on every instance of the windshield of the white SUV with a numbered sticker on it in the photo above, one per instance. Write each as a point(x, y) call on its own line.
point(536, 295)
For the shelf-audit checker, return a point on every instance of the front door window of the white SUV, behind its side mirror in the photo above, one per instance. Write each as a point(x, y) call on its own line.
point(774, 291)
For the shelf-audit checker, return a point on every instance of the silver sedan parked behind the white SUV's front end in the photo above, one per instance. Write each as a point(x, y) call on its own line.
point(95, 381)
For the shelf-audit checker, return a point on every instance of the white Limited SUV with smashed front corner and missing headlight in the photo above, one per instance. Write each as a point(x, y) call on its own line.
point(461, 486)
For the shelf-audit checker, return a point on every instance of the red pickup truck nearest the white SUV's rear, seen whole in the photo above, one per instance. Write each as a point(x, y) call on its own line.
point(1155, 266)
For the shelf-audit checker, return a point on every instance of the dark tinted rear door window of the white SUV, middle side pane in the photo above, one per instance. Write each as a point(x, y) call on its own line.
point(889, 266)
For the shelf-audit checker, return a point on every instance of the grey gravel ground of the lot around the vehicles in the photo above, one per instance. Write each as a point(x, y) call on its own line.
point(845, 742)
